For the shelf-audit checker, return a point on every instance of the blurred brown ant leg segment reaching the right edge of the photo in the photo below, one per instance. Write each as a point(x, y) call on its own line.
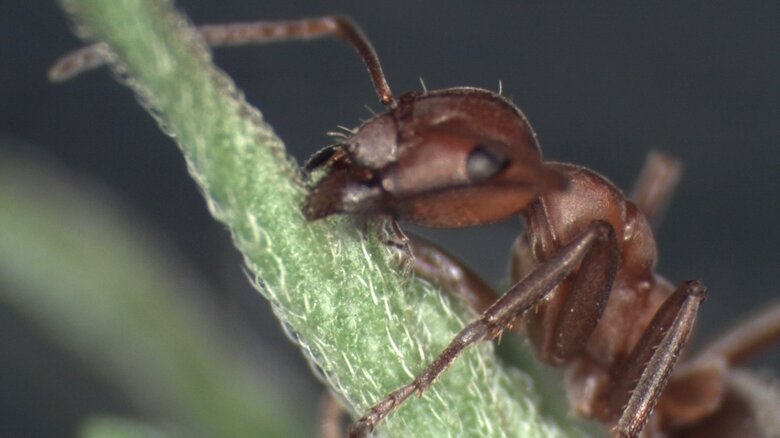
point(753, 334)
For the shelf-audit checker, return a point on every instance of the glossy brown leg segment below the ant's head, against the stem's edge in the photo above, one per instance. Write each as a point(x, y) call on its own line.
point(437, 266)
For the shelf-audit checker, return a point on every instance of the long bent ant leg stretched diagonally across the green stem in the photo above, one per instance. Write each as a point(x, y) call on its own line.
point(521, 297)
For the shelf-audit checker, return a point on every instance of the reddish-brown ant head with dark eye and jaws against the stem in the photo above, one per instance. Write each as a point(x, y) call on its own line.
point(448, 158)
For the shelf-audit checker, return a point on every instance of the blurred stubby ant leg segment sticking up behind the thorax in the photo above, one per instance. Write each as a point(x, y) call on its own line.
point(655, 185)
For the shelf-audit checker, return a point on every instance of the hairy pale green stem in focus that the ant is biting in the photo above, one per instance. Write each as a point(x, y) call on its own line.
point(353, 313)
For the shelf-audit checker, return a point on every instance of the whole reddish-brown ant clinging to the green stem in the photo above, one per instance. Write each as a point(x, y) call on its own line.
point(584, 289)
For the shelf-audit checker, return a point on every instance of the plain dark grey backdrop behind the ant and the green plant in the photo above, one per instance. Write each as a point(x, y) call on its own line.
point(601, 83)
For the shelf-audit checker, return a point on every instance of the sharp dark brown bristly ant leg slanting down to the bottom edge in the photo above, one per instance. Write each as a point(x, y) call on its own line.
point(646, 371)
